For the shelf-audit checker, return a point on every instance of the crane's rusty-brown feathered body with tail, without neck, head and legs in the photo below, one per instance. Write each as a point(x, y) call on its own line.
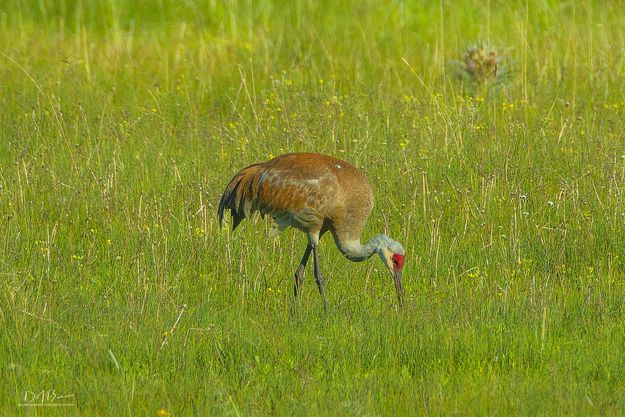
point(306, 190)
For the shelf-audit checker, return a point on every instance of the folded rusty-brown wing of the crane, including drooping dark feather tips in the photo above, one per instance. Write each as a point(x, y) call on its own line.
point(278, 190)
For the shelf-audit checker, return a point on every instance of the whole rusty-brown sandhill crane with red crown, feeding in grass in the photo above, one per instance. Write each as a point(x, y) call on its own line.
point(315, 194)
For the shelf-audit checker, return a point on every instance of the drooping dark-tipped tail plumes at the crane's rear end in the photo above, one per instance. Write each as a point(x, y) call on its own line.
point(239, 195)
